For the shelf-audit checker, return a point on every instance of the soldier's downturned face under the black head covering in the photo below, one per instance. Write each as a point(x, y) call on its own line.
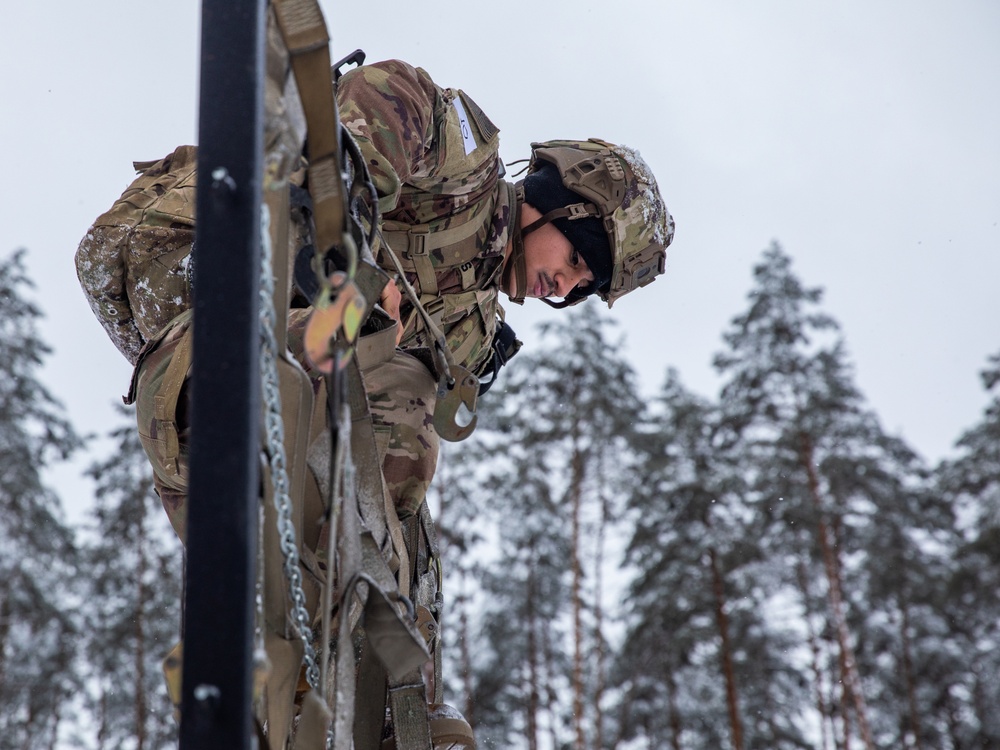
point(552, 266)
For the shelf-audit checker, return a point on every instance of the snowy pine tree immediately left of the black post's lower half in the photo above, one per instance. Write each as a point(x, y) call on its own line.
point(134, 600)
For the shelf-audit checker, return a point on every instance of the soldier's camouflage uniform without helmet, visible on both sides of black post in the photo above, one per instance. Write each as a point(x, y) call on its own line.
point(410, 133)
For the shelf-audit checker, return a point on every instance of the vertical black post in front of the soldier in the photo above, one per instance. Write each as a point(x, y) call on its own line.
point(225, 383)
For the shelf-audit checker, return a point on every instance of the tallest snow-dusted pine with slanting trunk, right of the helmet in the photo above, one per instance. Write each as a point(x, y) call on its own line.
point(776, 399)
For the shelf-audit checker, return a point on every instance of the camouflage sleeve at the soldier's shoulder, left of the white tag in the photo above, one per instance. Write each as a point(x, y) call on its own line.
point(389, 109)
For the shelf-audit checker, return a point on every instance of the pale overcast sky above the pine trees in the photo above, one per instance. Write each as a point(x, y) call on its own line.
point(864, 136)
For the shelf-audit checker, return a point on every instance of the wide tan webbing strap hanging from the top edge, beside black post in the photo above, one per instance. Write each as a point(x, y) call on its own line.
point(306, 37)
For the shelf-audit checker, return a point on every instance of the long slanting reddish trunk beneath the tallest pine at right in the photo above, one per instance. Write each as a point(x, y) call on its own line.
point(852, 682)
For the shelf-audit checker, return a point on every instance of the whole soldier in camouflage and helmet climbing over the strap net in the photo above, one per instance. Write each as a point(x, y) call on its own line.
point(588, 219)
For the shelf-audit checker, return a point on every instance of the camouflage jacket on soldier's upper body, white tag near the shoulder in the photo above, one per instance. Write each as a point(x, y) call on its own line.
point(433, 157)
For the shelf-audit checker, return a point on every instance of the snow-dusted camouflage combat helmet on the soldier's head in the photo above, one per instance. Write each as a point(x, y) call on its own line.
point(616, 187)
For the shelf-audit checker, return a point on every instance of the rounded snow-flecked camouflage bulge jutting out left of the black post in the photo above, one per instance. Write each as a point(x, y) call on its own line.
point(134, 263)
